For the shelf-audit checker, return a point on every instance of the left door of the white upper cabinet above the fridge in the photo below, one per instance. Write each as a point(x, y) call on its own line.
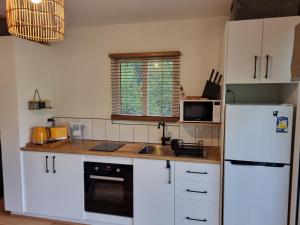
point(244, 40)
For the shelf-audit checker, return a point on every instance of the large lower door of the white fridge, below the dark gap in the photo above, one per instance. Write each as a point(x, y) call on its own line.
point(256, 195)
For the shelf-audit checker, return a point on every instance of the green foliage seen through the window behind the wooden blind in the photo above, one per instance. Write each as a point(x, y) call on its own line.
point(147, 88)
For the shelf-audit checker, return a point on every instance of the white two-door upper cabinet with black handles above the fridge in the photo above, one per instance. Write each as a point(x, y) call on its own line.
point(260, 51)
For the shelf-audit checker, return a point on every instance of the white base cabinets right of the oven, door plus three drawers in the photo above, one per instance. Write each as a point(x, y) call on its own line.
point(192, 197)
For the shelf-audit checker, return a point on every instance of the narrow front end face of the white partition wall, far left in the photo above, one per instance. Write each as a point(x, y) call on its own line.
point(9, 127)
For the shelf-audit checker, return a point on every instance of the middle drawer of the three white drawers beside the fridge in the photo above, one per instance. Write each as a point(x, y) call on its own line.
point(197, 190)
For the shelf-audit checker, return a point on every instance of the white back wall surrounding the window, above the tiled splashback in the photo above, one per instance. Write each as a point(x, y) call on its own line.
point(82, 84)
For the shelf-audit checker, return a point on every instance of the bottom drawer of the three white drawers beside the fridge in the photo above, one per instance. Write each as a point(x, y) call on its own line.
point(191, 212)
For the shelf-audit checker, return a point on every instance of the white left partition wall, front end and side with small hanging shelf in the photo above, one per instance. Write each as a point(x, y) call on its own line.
point(24, 67)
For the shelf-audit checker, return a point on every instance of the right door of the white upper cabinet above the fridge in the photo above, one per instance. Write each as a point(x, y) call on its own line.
point(278, 42)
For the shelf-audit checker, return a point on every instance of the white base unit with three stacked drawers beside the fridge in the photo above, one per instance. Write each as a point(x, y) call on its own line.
point(197, 194)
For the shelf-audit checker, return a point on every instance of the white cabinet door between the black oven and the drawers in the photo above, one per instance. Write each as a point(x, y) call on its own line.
point(153, 193)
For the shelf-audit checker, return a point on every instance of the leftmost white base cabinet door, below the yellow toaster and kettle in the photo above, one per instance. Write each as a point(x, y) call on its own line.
point(37, 183)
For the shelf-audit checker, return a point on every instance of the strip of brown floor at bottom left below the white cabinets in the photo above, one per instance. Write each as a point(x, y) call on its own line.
point(8, 219)
